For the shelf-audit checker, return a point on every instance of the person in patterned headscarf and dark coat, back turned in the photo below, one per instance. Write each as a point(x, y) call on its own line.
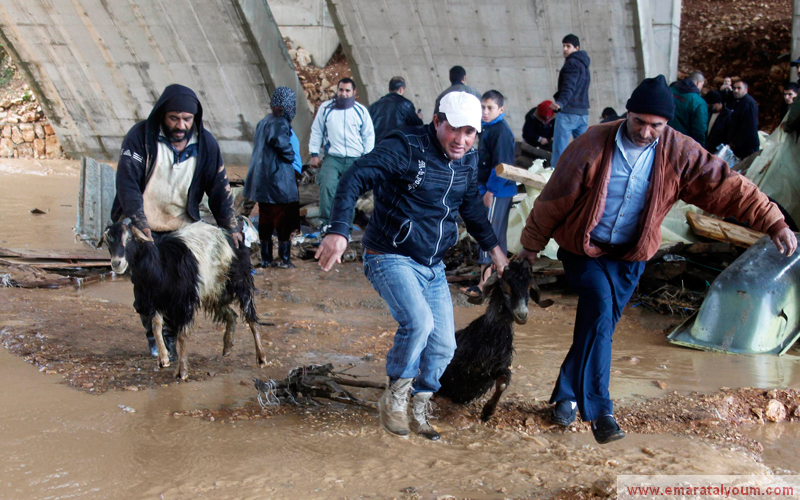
point(271, 178)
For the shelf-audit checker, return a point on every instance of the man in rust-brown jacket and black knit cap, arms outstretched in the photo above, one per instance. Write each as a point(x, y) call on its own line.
point(604, 206)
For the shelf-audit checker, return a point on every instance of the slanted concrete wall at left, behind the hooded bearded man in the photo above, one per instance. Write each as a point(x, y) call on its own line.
point(99, 65)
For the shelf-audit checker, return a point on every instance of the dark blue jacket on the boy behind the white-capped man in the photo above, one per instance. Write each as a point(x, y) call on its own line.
point(496, 147)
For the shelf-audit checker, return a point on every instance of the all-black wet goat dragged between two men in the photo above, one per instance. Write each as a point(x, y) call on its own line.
point(485, 347)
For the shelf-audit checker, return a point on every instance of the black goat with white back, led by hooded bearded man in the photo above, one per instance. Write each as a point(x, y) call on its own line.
point(196, 266)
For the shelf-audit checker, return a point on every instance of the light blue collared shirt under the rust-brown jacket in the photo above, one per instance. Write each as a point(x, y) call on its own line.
point(631, 169)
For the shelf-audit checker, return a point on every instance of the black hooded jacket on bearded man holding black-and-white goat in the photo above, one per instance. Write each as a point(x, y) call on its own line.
point(138, 158)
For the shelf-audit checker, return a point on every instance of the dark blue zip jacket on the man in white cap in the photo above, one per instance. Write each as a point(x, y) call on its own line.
point(417, 193)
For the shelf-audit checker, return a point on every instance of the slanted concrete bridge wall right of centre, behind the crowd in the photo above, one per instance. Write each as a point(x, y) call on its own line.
point(510, 45)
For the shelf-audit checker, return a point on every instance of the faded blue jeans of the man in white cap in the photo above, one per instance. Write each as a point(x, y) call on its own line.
point(419, 299)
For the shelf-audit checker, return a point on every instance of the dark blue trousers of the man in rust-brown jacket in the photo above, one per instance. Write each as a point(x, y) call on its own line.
point(604, 286)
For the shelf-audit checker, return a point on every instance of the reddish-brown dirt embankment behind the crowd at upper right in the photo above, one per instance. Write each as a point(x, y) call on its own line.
point(748, 39)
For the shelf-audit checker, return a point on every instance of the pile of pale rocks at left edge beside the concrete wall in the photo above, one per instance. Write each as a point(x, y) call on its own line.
point(24, 130)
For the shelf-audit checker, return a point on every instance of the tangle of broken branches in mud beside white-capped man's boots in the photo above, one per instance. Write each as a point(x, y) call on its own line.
point(313, 381)
